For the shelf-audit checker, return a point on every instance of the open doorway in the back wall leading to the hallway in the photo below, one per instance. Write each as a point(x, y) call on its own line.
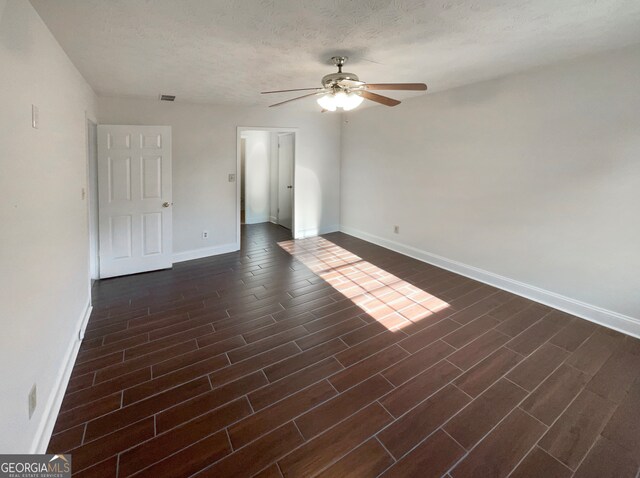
point(266, 168)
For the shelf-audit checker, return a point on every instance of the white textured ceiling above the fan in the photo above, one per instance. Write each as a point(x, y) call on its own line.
point(227, 51)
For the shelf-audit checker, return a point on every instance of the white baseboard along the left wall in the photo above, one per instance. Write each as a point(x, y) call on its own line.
point(52, 407)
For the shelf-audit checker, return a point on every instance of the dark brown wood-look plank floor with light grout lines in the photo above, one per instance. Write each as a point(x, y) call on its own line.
point(335, 357)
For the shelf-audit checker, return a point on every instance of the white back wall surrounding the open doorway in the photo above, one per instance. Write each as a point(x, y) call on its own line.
point(204, 153)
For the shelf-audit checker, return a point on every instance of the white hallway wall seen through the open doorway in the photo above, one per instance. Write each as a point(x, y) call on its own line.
point(257, 176)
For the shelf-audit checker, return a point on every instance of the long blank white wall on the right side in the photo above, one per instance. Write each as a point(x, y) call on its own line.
point(534, 177)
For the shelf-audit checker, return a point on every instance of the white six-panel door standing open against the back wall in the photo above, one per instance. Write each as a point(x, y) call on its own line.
point(134, 195)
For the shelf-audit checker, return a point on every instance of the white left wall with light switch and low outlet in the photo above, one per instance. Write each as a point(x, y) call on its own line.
point(44, 245)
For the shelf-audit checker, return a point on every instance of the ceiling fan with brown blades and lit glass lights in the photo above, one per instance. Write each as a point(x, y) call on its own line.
point(345, 90)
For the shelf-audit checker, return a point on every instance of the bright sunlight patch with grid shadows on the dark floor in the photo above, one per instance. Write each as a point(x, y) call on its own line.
point(390, 300)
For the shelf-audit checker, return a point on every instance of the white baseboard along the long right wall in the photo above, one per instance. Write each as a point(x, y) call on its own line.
point(607, 318)
